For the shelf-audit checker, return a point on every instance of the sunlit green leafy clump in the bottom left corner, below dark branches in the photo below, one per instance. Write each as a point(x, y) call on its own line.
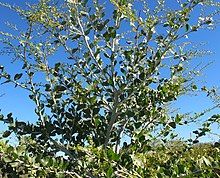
point(18, 161)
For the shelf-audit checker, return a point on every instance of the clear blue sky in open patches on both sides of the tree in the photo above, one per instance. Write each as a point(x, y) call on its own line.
point(16, 100)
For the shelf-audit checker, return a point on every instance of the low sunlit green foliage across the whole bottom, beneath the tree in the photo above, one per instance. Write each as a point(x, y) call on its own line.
point(170, 160)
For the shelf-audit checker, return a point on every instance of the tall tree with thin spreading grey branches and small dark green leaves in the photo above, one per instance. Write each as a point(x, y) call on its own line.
point(105, 103)
